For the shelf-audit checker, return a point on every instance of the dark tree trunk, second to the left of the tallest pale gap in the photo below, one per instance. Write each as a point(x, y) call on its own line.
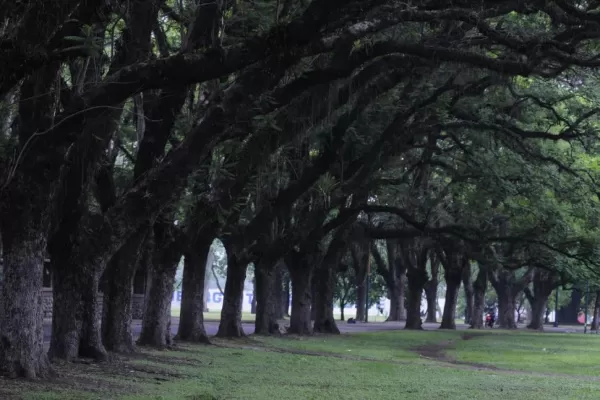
point(157, 314)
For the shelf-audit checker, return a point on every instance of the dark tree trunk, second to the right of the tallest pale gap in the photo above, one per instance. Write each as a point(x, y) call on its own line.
point(266, 293)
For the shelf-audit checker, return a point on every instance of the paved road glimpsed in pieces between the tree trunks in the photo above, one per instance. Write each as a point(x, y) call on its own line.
point(212, 327)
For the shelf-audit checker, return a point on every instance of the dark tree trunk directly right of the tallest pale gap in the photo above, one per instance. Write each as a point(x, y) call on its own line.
point(231, 313)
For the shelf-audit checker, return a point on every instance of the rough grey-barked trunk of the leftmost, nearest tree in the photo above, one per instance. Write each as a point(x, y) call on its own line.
point(24, 223)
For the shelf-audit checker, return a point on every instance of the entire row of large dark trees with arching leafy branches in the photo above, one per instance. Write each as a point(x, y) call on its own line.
point(297, 132)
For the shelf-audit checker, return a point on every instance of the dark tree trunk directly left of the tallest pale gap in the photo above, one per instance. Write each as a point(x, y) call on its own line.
point(191, 320)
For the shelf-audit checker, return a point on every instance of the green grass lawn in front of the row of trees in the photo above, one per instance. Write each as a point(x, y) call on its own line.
point(384, 365)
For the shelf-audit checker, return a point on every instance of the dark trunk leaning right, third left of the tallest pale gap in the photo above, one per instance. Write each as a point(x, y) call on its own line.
point(119, 276)
